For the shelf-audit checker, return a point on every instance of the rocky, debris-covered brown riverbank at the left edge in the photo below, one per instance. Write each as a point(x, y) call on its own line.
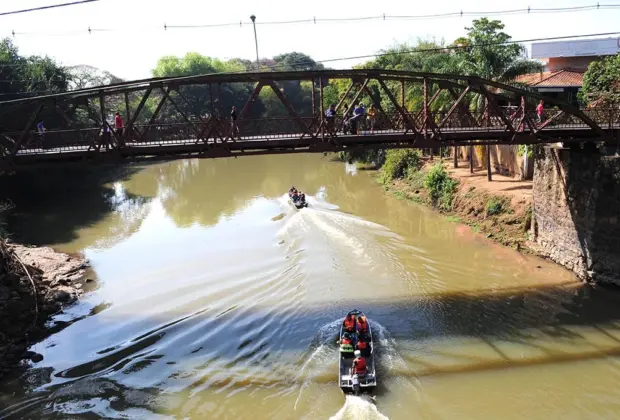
point(35, 284)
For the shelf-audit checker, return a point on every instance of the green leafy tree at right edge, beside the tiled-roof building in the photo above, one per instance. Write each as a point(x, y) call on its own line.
point(601, 82)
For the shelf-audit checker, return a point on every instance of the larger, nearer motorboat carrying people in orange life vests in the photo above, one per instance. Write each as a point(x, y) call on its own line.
point(356, 361)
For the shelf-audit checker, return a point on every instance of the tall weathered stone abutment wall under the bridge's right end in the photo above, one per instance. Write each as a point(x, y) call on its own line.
point(576, 205)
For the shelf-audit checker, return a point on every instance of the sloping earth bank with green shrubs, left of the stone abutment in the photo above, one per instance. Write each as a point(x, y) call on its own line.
point(404, 173)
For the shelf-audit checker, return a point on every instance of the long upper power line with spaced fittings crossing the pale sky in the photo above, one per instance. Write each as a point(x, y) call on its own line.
point(315, 20)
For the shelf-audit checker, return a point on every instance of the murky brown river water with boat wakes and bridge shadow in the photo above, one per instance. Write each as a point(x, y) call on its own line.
point(217, 299)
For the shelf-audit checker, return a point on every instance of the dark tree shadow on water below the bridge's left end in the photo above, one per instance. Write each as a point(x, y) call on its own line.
point(52, 205)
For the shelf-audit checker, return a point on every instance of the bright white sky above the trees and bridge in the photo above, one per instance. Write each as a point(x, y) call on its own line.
point(137, 38)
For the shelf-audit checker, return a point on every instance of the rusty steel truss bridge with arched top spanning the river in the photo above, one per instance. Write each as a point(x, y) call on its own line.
point(191, 116)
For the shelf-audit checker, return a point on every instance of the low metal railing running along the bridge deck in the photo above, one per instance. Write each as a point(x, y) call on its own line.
point(212, 130)
